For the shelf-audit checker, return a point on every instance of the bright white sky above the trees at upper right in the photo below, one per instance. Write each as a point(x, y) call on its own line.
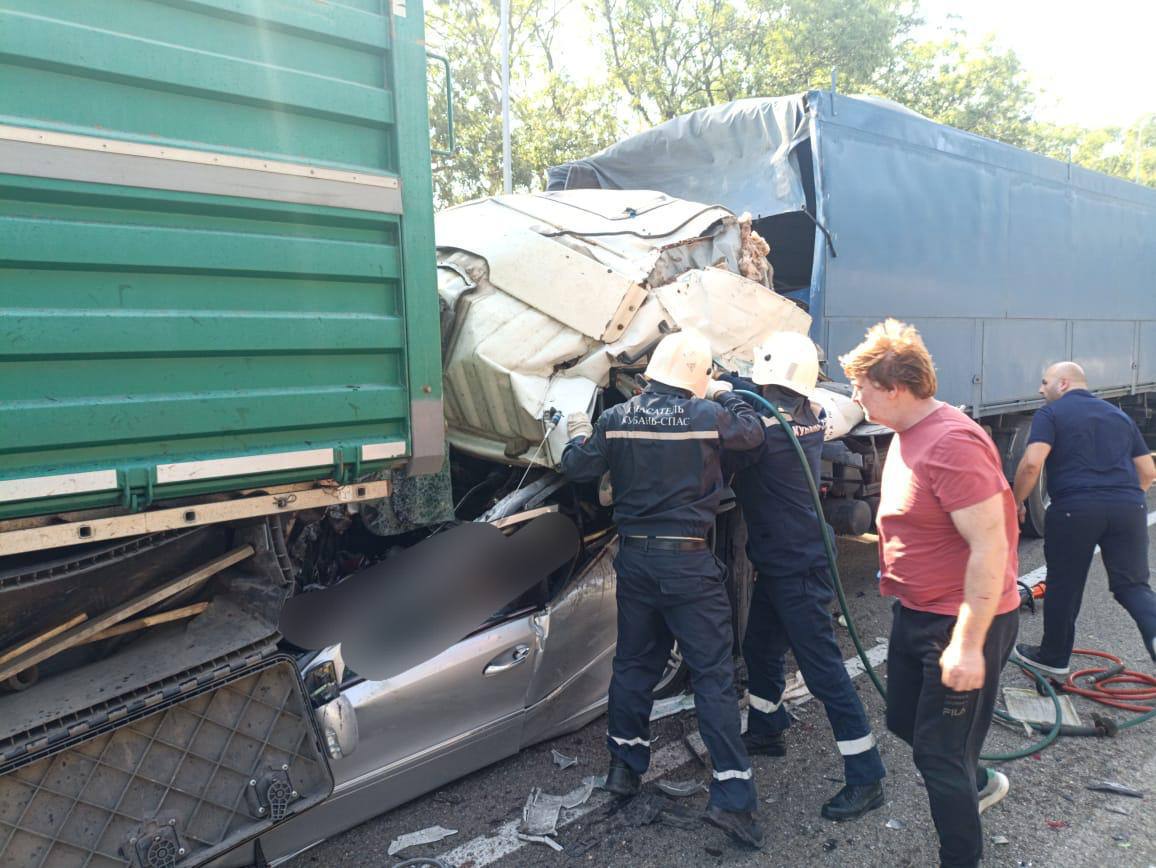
point(1095, 62)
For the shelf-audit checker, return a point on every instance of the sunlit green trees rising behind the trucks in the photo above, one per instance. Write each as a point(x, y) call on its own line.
point(665, 58)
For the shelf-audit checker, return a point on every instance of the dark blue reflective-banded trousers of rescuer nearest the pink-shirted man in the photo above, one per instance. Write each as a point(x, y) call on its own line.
point(792, 612)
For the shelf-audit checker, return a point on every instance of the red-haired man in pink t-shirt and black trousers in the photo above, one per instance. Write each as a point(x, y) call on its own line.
point(948, 533)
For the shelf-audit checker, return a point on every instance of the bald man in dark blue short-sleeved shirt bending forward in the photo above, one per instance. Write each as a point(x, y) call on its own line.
point(1099, 473)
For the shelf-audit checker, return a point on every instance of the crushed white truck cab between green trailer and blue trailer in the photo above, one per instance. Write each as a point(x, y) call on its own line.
point(545, 295)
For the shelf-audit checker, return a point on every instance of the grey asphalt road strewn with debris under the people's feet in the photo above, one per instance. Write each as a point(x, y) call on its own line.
point(1050, 818)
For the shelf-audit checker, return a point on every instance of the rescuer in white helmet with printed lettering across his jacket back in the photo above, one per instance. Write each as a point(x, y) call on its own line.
point(663, 450)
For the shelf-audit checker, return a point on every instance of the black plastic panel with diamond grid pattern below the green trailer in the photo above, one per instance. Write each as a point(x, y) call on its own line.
point(175, 785)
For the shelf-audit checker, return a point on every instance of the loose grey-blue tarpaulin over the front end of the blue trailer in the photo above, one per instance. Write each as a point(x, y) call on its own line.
point(740, 155)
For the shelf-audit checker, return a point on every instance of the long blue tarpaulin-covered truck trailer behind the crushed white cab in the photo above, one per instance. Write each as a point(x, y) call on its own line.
point(1005, 261)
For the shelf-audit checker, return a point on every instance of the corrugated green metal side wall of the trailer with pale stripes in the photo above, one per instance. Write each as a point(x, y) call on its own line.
point(216, 242)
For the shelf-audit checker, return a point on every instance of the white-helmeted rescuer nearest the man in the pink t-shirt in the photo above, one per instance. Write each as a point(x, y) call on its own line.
point(794, 588)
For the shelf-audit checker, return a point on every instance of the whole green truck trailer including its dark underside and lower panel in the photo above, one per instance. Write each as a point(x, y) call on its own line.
point(219, 324)
